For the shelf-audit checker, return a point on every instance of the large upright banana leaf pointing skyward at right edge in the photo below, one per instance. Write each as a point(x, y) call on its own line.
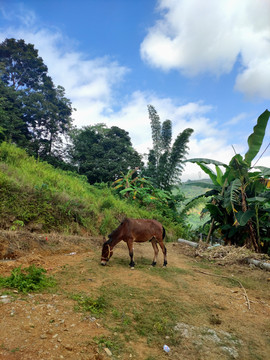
point(256, 138)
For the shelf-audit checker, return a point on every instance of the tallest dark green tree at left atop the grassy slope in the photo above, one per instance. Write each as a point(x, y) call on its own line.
point(43, 108)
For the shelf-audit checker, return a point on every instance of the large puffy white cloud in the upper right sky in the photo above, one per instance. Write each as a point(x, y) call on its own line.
point(197, 36)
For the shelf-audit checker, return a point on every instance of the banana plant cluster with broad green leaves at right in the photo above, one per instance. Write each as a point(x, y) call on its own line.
point(240, 197)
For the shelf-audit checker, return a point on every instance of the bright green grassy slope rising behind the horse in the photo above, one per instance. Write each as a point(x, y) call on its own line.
point(34, 195)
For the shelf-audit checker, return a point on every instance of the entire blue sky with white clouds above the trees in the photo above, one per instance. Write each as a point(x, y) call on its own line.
point(202, 64)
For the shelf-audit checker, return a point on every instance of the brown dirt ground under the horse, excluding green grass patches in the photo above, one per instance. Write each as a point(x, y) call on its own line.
point(45, 326)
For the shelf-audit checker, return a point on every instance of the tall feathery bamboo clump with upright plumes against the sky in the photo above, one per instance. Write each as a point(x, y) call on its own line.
point(165, 160)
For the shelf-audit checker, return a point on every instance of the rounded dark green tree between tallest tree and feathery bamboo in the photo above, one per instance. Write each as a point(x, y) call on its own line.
point(102, 153)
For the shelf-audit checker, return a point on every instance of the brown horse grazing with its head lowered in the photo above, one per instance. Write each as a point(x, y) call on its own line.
point(138, 230)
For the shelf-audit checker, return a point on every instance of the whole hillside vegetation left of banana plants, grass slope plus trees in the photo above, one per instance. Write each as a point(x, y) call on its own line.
point(36, 116)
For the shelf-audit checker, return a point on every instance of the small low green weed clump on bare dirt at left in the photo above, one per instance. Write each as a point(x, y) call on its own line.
point(27, 280)
